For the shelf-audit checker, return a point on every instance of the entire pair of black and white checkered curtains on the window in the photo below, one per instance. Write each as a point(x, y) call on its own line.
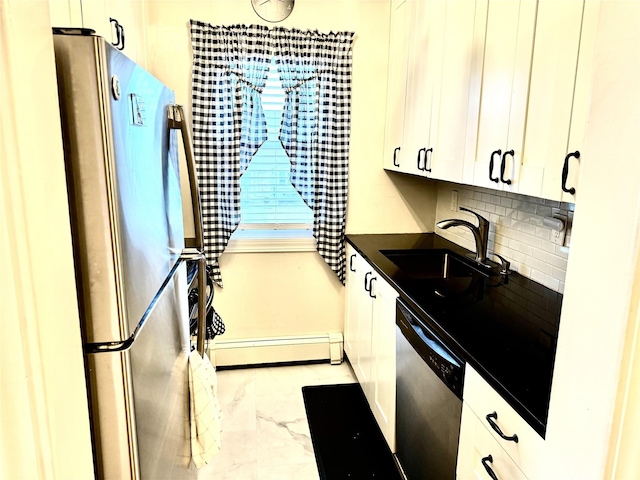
point(230, 66)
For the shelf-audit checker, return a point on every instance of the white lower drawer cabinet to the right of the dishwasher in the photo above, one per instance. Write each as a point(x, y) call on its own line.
point(480, 401)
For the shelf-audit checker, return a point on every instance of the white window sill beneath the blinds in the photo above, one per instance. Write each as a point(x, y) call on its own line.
point(257, 241)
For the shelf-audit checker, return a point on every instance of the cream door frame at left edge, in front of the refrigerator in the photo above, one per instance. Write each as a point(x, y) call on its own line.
point(45, 419)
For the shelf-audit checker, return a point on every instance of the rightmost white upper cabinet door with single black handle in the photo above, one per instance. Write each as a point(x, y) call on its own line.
point(558, 99)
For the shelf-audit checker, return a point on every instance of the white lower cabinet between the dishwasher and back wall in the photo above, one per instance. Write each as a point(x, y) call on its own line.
point(369, 338)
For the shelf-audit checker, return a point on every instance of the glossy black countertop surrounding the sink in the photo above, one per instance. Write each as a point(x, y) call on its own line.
point(507, 330)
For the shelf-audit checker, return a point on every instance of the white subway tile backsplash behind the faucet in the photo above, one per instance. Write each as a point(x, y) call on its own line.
point(516, 230)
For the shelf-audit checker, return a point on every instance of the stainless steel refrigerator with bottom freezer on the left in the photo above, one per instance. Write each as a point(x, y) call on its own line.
point(126, 216)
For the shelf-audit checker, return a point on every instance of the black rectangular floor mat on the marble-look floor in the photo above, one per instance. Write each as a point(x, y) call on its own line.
point(346, 438)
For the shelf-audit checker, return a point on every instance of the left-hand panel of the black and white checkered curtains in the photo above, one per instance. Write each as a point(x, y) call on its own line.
point(230, 66)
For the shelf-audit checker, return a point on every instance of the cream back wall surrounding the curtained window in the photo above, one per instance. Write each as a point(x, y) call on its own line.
point(284, 294)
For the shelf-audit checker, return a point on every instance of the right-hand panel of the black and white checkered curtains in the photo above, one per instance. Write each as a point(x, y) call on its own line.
point(315, 71)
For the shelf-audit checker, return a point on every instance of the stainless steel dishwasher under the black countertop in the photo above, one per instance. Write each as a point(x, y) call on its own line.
point(429, 378)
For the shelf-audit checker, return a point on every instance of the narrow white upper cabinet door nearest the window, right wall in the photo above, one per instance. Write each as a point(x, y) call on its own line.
point(394, 157)
